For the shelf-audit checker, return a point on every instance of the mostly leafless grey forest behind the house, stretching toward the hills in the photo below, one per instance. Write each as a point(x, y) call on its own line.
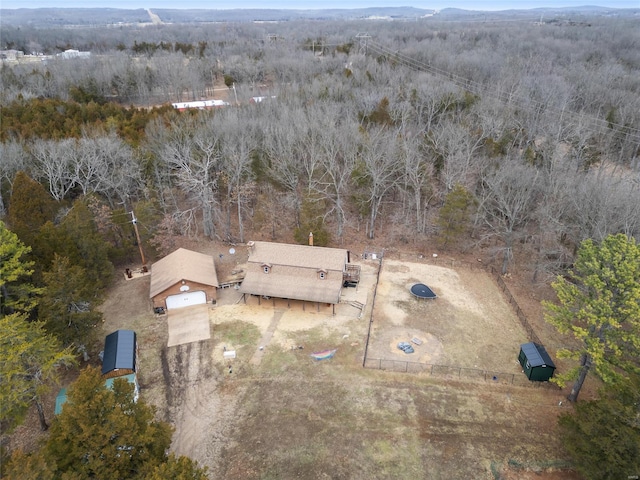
point(519, 138)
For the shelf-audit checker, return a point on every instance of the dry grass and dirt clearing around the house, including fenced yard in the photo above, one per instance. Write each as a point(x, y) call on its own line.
point(276, 413)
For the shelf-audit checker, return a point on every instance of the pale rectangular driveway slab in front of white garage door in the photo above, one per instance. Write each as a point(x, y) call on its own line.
point(188, 324)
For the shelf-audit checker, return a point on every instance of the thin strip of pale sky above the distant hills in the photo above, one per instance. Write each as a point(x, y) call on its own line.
point(308, 4)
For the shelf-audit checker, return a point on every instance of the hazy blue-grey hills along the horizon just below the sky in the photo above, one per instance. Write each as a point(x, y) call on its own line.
point(68, 17)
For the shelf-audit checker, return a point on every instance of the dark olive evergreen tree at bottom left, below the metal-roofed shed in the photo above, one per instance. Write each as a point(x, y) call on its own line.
point(104, 433)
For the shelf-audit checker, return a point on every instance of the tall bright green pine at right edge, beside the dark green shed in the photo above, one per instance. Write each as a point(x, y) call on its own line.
point(599, 304)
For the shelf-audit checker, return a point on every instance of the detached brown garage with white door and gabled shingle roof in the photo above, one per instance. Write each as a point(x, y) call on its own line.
point(181, 279)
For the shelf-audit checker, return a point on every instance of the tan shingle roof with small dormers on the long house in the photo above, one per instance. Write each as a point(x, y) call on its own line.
point(295, 272)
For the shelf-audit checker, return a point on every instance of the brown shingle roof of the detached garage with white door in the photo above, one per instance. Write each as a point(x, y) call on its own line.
point(181, 265)
